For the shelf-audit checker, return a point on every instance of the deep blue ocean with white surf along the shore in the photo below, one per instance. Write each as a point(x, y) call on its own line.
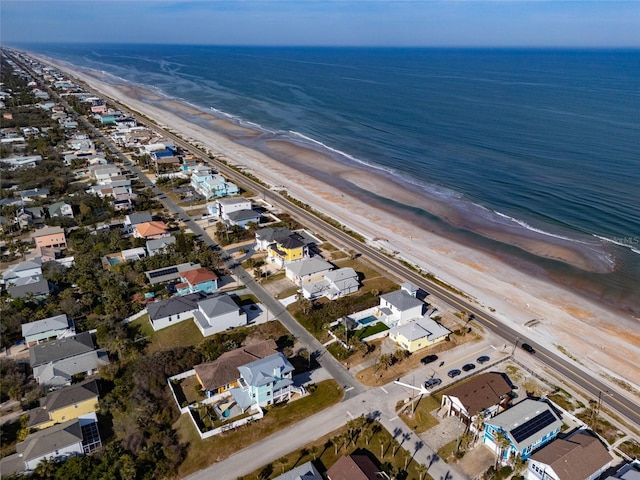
point(541, 142)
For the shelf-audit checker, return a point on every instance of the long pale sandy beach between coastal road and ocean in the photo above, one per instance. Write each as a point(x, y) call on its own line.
point(604, 341)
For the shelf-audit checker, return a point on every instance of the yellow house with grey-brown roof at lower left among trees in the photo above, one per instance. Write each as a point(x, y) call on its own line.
point(65, 404)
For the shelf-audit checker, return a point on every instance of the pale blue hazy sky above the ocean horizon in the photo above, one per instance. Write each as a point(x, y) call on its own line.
point(426, 23)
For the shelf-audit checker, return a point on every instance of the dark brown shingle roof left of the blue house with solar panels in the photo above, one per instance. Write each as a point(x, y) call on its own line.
point(481, 392)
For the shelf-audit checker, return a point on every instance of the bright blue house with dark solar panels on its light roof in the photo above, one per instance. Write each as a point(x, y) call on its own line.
point(527, 426)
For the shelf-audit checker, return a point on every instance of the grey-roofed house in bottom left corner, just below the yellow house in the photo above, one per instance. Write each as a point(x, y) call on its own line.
point(60, 442)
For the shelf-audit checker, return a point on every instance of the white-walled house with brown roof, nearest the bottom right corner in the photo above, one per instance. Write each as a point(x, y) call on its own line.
point(581, 456)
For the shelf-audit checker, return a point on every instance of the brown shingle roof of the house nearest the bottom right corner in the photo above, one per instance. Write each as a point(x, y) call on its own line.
point(574, 458)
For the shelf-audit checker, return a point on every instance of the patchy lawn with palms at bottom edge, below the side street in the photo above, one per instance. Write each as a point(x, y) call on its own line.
point(379, 446)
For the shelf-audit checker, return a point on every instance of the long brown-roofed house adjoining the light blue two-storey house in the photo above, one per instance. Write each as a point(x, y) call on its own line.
point(221, 375)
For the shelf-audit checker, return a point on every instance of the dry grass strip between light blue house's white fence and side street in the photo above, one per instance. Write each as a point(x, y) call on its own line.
point(202, 453)
